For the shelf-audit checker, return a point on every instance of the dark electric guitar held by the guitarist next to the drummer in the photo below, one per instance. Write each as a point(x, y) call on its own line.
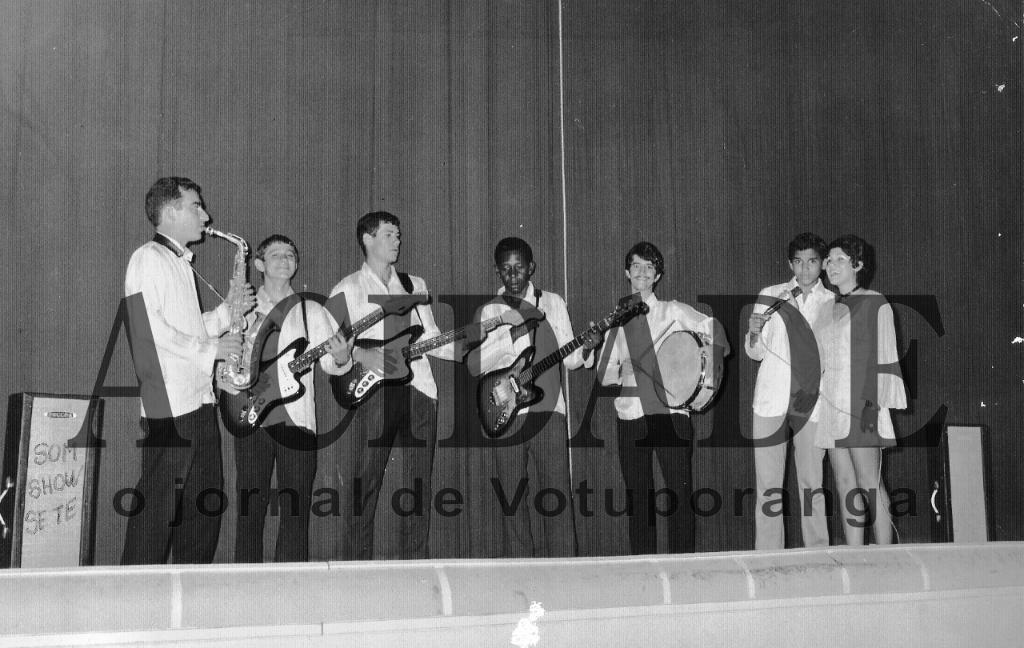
point(504, 393)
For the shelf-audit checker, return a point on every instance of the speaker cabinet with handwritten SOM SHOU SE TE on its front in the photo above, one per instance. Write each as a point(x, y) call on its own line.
point(51, 485)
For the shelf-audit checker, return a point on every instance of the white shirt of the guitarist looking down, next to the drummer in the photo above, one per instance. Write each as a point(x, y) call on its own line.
point(503, 345)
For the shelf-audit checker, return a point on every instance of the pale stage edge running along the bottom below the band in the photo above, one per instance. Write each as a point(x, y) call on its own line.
point(935, 595)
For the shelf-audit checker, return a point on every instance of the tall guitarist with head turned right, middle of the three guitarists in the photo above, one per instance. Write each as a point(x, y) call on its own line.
point(401, 416)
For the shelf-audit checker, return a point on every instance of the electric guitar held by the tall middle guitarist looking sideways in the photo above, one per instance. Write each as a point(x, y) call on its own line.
point(360, 383)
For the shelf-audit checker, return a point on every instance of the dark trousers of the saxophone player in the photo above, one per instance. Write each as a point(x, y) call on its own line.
point(172, 483)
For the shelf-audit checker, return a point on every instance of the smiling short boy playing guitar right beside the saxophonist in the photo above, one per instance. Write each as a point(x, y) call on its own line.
point(290, 429)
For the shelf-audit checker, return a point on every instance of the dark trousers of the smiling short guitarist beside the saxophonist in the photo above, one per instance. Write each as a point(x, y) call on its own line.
point(295, 451)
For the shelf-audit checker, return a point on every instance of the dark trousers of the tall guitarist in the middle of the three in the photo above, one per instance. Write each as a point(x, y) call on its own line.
point(399, 417)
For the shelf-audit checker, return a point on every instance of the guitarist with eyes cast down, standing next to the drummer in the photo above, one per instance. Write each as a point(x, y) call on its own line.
point(539, 434)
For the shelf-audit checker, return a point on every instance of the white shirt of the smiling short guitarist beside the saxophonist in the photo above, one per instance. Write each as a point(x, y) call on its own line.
point(303, 411)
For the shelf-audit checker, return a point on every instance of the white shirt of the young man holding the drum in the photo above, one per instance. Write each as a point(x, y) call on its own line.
point(664, 319)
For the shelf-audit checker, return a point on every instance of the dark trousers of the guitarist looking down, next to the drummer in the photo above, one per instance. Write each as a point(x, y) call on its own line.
point(529, 533)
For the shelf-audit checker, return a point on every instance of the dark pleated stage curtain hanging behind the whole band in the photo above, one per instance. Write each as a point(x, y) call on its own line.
point(715, 131)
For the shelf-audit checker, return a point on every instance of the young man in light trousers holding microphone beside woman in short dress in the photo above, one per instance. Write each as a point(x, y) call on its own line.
point(786, 394)
